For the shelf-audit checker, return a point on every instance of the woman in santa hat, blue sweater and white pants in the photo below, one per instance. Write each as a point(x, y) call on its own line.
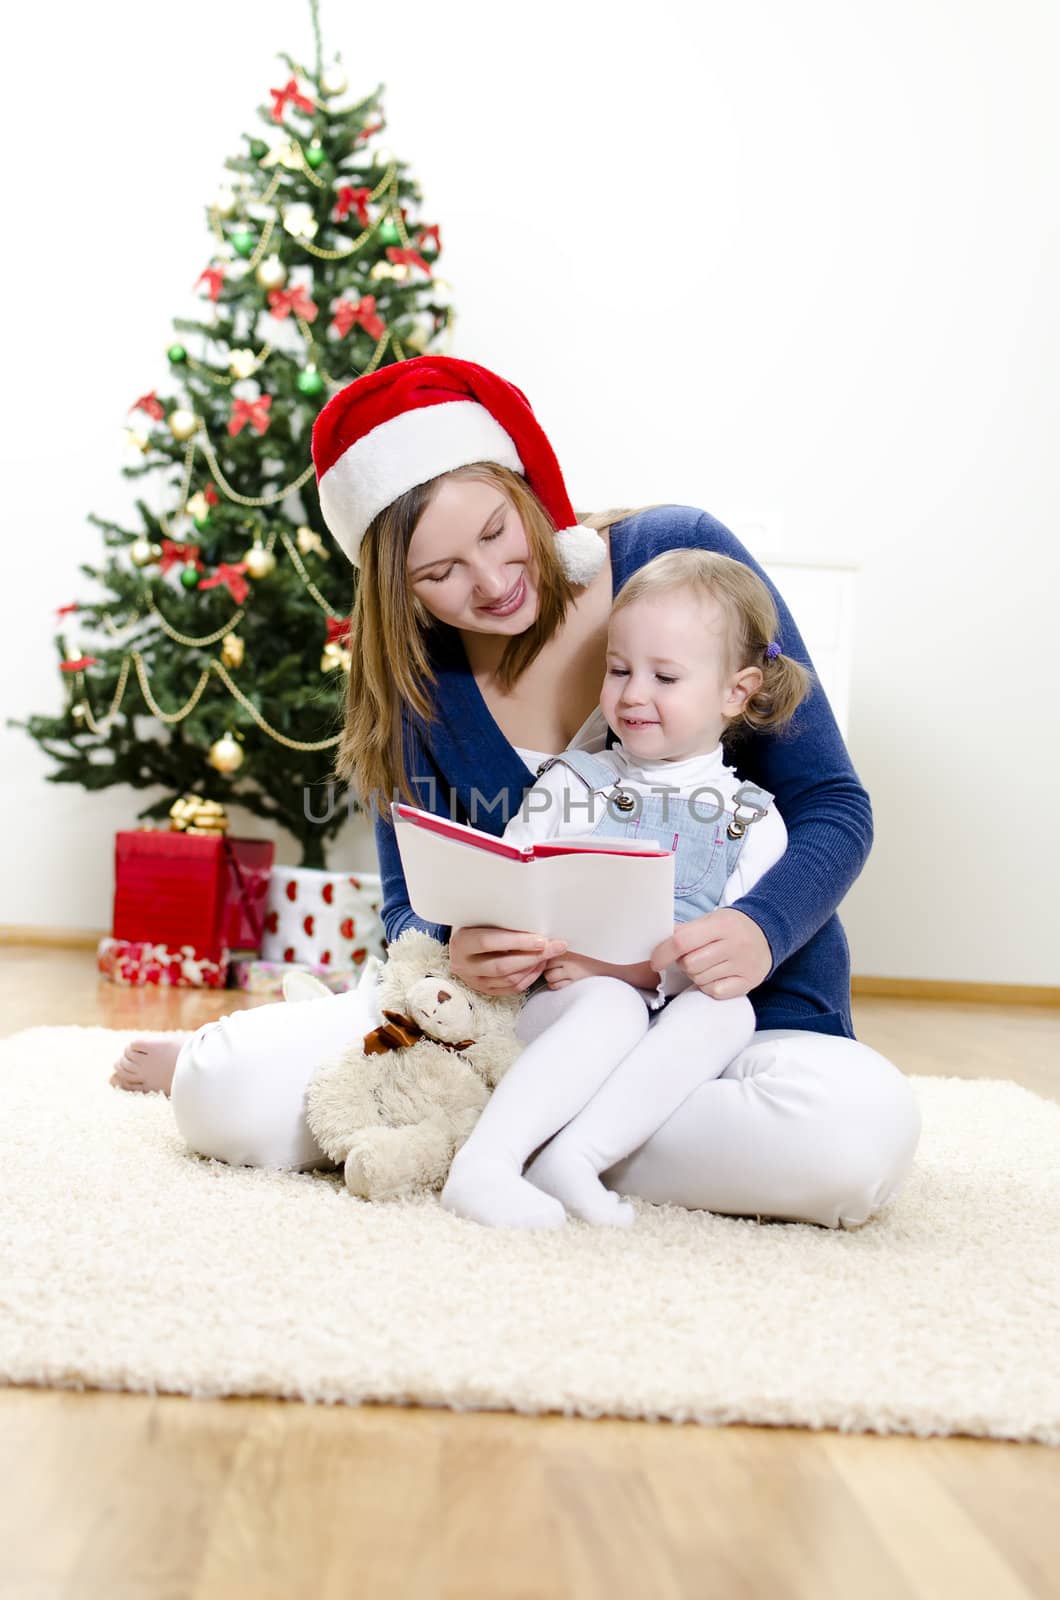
point(478, 654)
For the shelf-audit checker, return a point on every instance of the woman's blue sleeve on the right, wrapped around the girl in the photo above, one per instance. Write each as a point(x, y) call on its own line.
point(827, 810)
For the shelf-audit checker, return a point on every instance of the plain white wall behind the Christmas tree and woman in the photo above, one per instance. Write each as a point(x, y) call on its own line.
point(789, 263)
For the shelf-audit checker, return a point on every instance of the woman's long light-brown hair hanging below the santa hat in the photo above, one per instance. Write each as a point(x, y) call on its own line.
point(390, 665)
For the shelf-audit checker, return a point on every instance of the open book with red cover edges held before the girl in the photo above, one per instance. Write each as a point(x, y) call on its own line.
point(609, 898)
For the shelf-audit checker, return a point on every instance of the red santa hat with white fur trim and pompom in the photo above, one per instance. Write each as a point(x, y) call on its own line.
point(408, 423)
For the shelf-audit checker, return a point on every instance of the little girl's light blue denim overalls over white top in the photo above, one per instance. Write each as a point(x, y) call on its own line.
point(704, 834)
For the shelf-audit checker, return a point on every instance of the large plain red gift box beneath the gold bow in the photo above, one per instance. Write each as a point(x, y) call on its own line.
point(206, 890)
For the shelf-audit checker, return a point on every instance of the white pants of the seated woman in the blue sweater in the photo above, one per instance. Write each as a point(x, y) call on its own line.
point(801, 1127)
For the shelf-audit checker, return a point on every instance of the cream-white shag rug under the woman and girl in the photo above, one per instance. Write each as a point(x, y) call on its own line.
point(129, 1263)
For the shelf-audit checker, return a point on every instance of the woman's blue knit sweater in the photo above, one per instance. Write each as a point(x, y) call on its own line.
point(805, 766)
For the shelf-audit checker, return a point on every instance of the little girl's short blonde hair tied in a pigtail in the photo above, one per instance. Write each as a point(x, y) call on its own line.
point(752, 625)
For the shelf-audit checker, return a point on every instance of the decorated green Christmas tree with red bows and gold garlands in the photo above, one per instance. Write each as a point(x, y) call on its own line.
point(214, 660)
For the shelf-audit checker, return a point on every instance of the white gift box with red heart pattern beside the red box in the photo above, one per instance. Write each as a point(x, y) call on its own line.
point(326, 919)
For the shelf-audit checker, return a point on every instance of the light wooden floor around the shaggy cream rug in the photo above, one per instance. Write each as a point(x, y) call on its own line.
point(126, 1497)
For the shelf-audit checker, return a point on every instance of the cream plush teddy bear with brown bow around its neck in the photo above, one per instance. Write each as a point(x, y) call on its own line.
point(398, 1105)
